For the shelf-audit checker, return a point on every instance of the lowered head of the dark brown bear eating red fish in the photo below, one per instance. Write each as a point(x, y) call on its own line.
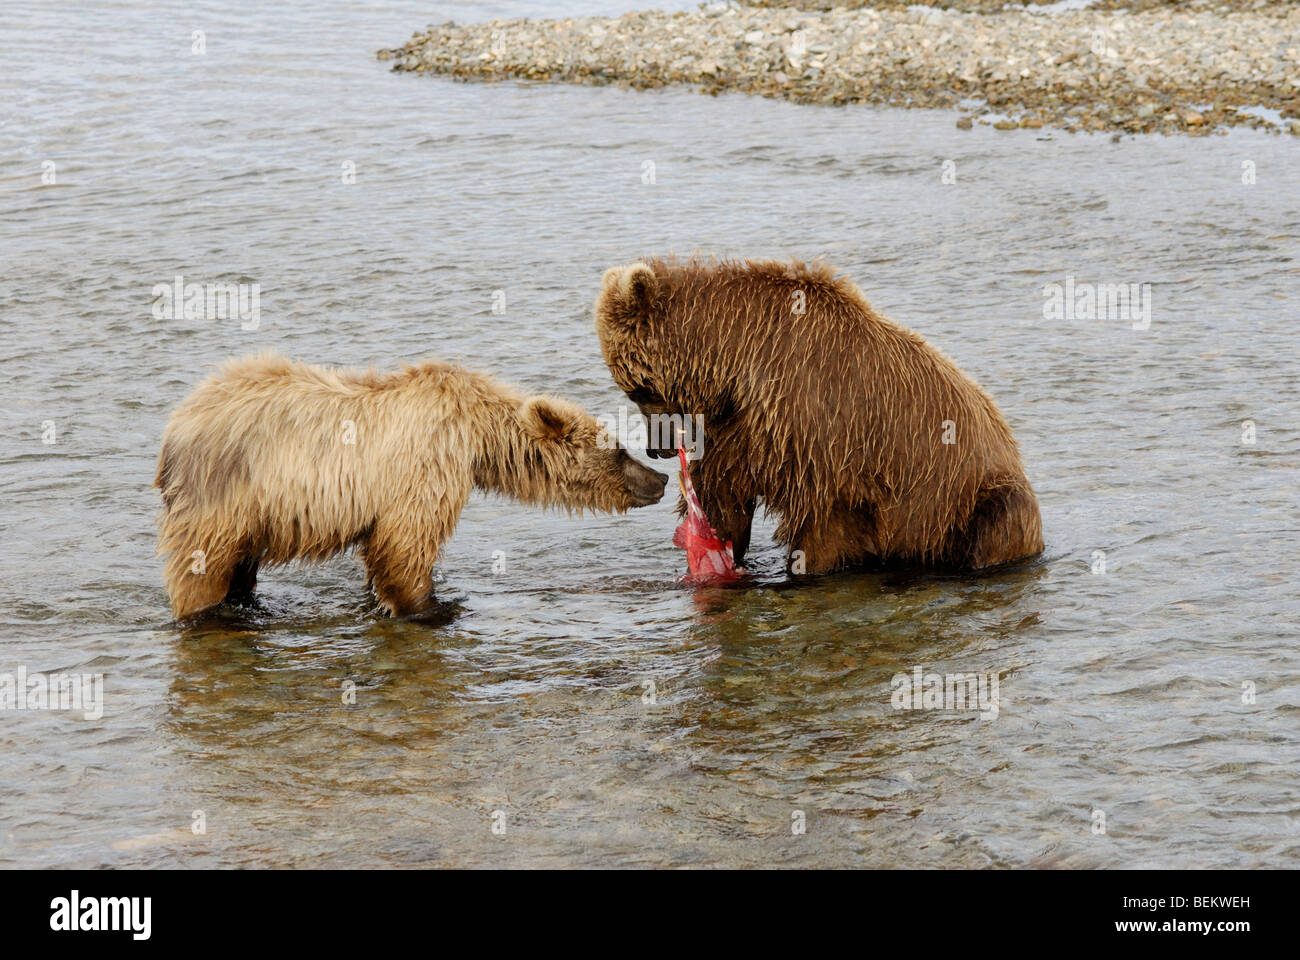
point(648, 349)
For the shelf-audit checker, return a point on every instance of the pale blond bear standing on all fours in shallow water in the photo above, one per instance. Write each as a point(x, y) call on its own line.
point(270, 461)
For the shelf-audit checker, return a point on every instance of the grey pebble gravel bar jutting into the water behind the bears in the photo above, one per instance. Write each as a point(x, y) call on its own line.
point(1168, 68)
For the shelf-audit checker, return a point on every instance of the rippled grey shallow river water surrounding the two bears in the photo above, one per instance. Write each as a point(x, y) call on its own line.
point(1121, 693)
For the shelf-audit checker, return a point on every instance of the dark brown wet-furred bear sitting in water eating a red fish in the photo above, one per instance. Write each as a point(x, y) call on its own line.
point(866, 443)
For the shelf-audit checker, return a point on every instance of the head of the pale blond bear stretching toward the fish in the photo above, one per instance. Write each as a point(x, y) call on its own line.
point(573, 461)
